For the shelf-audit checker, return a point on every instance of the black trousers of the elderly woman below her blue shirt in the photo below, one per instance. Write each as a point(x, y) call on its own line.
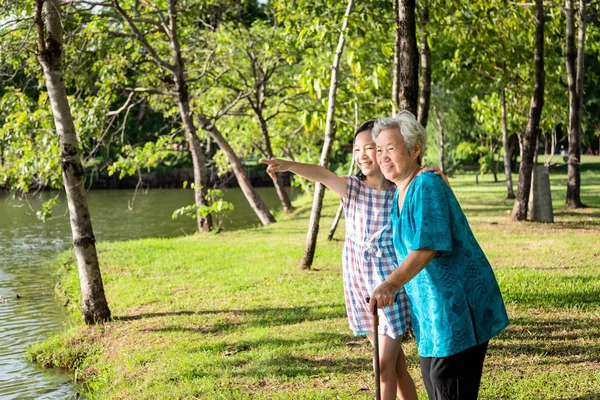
point(455, 377)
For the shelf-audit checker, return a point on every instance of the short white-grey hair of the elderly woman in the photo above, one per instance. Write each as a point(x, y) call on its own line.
point(407, 125)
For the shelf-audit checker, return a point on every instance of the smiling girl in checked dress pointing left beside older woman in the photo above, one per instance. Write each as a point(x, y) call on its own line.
point(368, 256)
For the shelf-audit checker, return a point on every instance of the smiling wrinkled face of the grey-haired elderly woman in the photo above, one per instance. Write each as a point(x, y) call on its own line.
point(393, 157)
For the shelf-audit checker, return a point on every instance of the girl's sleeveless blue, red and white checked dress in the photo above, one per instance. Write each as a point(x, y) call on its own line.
point(369, 258)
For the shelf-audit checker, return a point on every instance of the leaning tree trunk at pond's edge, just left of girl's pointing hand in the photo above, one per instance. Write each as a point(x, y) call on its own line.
point(259, 207)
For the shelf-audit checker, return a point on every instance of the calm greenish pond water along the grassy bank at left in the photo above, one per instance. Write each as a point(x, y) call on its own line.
point(27, 245)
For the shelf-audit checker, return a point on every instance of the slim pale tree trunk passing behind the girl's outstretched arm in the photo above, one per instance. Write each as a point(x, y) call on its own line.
point(315, 214)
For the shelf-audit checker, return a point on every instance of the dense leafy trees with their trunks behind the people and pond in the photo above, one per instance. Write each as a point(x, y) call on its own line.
point(230, 81)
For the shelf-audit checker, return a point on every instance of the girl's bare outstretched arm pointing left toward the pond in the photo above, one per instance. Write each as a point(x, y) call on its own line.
point(312, 172)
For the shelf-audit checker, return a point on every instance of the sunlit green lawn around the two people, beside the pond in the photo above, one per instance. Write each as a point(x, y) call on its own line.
point(231, 316)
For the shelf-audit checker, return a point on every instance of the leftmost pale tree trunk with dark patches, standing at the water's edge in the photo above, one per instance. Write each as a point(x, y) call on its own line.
point(94, 307)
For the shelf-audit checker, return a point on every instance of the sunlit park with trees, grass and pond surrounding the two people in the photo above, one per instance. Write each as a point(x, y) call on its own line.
point(188, 95)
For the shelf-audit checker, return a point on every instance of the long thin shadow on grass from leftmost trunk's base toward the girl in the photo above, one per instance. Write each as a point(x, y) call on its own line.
point(244, 318)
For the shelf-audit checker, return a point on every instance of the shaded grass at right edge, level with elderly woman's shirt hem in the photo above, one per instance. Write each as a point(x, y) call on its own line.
point(551, 342)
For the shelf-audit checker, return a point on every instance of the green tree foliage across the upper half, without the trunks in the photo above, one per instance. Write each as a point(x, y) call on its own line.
point(230, 47)
